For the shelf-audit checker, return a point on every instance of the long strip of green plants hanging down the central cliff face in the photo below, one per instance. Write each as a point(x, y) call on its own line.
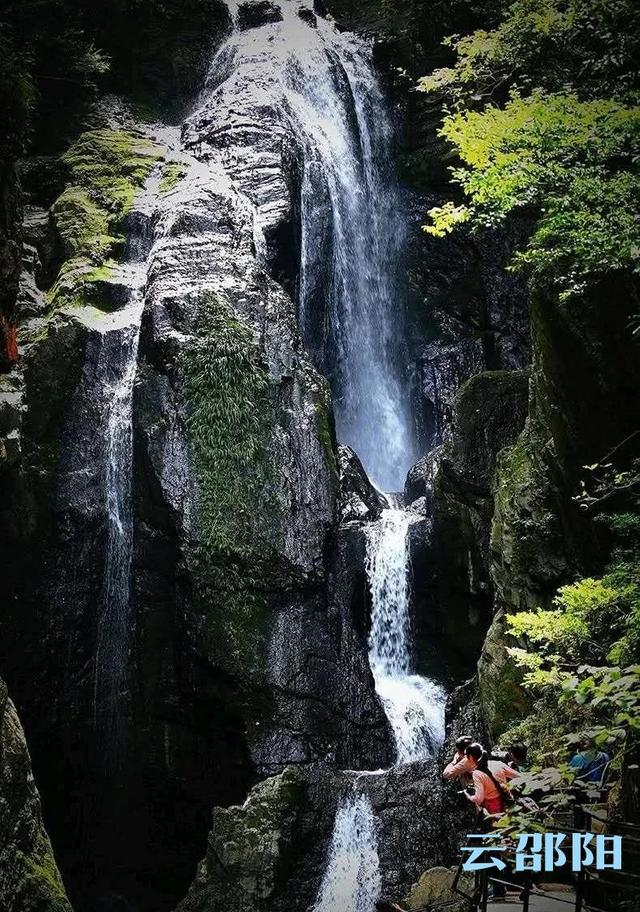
point(231, 416)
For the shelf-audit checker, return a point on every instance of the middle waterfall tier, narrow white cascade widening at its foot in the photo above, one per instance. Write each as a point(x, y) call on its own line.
point(413, 704)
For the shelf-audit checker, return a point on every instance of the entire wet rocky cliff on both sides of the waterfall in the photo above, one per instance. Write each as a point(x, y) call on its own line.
point(246, 608)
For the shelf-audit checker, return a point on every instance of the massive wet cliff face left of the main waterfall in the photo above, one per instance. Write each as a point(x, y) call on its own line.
point(236, 660)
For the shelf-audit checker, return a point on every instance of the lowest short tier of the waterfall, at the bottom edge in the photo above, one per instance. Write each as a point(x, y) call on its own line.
point(352, 880)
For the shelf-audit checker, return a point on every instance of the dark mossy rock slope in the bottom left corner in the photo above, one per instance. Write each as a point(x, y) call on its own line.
point(29, 878)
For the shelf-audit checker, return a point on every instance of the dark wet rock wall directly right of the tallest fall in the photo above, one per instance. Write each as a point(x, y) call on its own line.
point(473, 311)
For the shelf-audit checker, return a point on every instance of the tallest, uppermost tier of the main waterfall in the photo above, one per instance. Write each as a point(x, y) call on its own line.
point(322, 83)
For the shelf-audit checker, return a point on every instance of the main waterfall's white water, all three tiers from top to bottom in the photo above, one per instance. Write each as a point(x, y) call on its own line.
point(323, 107)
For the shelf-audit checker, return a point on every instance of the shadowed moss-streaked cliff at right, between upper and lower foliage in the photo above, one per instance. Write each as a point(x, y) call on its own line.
point(584, 386)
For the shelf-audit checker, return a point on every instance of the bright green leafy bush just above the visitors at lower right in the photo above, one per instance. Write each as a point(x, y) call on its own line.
point(581, 664)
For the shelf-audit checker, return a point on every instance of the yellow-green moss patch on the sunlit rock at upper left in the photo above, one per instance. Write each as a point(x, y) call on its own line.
point(107, 170)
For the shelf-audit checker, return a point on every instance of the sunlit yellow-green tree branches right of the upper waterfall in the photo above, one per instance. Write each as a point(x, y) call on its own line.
point(570, 162)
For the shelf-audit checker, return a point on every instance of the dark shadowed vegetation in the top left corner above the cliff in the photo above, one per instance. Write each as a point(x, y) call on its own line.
point(56, 54)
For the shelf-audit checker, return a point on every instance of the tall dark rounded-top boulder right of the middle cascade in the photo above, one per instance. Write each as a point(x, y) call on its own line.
point(488, 413)
